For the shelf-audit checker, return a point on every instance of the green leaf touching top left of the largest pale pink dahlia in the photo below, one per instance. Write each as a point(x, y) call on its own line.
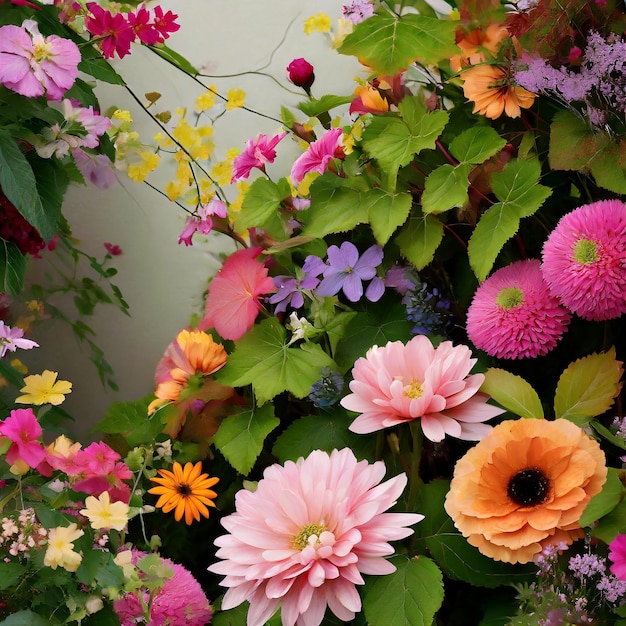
point(240, 437)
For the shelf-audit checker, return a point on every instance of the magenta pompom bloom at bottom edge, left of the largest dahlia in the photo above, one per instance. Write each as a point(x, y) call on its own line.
point(179, 602)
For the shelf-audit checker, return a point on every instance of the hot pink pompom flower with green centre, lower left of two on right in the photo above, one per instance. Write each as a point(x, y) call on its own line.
point(513, 315)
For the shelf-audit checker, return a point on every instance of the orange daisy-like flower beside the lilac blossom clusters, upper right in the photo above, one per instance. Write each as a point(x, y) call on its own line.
point(489, 88)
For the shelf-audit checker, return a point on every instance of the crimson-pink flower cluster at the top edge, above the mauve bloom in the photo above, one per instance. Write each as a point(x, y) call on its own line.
point(117, 31)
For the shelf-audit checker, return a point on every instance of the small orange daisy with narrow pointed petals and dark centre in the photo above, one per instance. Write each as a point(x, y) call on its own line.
point(185, 490)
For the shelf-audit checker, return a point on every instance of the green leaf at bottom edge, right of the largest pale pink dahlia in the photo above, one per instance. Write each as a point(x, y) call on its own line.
point(410, 596)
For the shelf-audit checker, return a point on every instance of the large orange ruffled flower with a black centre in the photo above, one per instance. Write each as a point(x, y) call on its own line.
point(525, 486)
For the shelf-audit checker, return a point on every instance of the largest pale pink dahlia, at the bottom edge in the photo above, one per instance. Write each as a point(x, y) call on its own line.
point(302, 540)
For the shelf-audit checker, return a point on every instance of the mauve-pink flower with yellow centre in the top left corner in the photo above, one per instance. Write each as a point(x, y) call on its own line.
point(31, 64)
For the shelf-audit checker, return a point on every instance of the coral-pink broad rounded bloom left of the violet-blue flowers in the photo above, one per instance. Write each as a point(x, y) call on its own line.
point(233, 302)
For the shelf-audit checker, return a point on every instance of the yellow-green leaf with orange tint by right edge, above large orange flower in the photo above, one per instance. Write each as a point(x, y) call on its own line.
point(588, 386)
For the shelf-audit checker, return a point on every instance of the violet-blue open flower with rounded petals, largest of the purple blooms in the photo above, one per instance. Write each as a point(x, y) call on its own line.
point(346, 271)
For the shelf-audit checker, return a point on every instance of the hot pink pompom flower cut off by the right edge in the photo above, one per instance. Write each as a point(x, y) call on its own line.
point(584, 260)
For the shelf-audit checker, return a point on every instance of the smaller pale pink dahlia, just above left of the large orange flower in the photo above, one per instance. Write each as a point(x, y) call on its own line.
point(400, 383)
